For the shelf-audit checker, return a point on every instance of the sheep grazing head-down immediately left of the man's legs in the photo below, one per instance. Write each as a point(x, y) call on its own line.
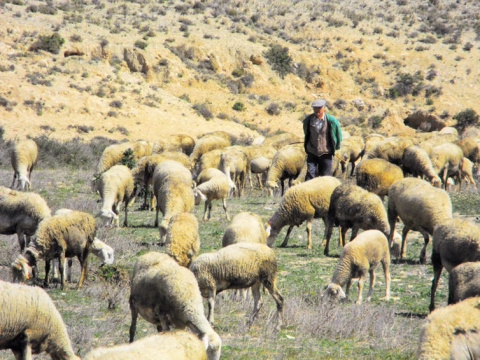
point(288, 163)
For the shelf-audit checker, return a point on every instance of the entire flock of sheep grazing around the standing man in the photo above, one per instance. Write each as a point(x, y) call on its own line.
point(167, 289)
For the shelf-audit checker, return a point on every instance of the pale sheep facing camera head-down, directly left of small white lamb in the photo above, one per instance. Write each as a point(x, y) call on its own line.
point(172, 187)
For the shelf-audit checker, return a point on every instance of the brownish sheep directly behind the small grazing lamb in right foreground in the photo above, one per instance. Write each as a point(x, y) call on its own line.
point(356, 208)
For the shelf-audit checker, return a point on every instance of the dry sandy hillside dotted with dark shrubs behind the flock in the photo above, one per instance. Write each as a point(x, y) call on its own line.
point(145, 69)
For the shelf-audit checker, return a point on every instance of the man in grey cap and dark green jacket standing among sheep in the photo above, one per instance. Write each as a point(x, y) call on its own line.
point(322, 137)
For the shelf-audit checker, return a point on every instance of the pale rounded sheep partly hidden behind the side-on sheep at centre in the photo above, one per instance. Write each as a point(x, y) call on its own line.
point(245, 227)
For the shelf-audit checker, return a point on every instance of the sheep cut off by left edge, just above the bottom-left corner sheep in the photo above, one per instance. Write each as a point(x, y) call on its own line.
point(21, 213)
